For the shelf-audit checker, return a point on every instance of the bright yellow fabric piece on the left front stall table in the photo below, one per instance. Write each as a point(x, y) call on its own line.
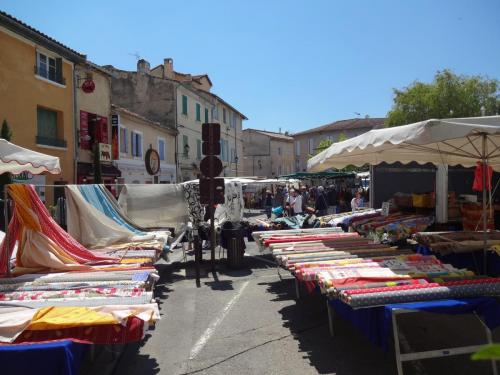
point(67, 317)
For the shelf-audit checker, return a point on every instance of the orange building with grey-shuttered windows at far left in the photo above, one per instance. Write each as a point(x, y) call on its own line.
point(37, 95)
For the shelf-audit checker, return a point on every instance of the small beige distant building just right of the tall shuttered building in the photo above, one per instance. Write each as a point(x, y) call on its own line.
point(267, 154)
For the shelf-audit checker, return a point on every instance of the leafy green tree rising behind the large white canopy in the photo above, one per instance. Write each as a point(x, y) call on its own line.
point(448, 95)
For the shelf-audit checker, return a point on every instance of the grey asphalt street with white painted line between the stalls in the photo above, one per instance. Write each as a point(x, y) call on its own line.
point(249, 322)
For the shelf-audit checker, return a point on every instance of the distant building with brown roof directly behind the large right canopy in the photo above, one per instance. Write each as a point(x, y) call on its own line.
point(306, 143)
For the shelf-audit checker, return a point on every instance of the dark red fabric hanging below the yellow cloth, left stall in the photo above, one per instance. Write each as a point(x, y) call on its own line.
point(102, 334)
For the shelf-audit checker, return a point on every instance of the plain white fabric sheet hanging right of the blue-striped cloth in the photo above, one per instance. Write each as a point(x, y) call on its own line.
point(154, 205)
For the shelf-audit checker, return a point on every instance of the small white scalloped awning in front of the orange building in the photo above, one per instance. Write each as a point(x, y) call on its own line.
point(16, 159)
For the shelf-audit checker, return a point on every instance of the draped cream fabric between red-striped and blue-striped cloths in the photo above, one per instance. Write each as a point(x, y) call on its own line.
point(91, 227)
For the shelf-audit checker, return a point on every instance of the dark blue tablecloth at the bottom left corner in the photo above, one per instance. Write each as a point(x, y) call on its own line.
point(47, 358)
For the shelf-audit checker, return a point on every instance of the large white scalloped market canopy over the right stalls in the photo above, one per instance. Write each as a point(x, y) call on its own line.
point(449, 141)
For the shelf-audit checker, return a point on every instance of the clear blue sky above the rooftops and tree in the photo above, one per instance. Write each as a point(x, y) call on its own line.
point(288, 64)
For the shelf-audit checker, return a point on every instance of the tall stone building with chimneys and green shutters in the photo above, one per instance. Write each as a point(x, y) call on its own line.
point(182, 102)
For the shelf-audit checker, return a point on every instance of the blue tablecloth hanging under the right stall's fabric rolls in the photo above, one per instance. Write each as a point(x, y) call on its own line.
point(376, 324)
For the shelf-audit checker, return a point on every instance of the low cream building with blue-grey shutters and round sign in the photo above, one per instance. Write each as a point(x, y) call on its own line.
point(137, 134)
